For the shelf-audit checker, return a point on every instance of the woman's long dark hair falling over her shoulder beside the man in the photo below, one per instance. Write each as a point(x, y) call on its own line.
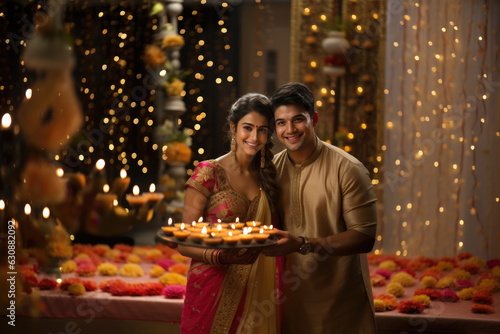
point(260, 104)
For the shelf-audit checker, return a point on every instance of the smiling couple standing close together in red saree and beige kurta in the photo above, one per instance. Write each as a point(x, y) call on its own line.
point(323, 201)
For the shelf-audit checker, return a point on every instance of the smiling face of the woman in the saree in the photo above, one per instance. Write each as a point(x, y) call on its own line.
point(251, 133)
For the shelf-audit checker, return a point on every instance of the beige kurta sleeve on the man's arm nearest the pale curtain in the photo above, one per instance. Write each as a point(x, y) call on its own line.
point(358, 200)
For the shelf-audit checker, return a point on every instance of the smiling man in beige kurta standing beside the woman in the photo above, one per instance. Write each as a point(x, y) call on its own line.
point(328, 198)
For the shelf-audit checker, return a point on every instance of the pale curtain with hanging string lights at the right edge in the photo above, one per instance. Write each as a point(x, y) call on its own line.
point(442, 129)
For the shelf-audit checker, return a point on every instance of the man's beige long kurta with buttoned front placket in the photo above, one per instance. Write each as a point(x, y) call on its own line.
point(329, 193)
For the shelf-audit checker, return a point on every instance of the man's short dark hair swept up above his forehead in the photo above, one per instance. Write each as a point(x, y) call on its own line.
point(294, 93)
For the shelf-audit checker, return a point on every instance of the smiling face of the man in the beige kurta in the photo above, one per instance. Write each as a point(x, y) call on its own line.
point(295, 128)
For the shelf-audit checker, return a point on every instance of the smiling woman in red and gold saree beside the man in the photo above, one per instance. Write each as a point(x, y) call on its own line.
point(239, 295)
